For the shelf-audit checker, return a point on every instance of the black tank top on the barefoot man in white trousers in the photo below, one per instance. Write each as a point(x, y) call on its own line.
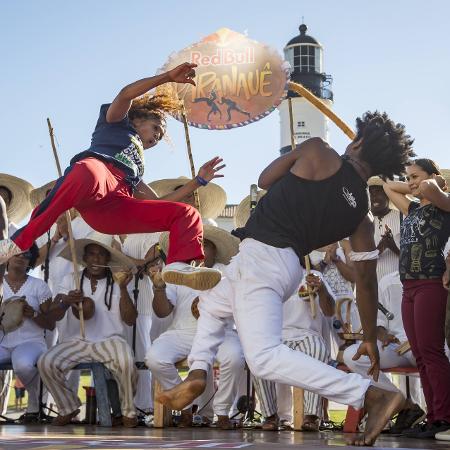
point(306, 215)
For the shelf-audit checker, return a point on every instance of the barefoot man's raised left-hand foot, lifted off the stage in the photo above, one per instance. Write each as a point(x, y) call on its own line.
point(184, 393)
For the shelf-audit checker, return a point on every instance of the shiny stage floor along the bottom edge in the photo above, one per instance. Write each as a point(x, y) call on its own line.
point(84, 437)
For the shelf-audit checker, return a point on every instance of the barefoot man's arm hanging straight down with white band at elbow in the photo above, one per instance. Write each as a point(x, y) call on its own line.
point(362, 241)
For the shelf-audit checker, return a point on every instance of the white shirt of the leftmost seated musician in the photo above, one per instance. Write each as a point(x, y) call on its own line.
point(36, 292)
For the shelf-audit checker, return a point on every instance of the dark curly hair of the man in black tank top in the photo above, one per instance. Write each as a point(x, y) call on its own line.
point(385, 145)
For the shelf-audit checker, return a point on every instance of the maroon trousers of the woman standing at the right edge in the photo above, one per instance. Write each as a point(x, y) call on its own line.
point(423, 313)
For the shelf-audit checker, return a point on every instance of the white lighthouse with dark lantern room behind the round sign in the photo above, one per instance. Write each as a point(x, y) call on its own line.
point(305, 55)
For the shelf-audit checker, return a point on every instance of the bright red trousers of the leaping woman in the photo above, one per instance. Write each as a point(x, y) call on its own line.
point(98, 191)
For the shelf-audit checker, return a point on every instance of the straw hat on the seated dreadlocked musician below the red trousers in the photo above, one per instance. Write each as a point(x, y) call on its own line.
point(118, 260)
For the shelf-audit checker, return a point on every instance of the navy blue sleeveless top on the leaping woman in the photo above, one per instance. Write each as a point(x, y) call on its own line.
point(119, 144)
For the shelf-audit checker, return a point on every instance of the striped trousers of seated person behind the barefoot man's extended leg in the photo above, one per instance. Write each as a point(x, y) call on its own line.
point(278, 398)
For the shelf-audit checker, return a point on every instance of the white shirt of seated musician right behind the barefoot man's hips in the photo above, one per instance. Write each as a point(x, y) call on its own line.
point(297, 319)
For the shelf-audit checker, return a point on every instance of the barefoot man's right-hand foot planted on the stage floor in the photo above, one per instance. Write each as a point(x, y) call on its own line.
point(380, 406)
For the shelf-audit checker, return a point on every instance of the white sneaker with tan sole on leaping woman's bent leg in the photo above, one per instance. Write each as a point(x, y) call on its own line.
point(198, 278)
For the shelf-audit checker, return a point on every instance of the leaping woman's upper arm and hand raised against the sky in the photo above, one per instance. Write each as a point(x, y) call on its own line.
point(122, 103)
